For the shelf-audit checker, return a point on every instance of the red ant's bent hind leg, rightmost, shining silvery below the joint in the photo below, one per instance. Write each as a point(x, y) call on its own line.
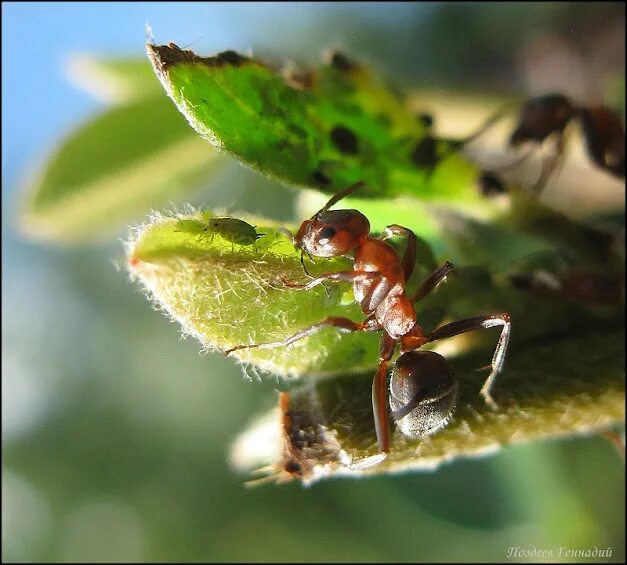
point(462, 326)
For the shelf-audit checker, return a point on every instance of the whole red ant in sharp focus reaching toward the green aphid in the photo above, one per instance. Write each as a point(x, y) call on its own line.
point(423, 387)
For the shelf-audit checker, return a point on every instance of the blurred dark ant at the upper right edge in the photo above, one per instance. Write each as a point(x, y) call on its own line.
point(548, 116)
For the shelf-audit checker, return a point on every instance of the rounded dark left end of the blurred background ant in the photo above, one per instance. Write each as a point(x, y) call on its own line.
point(542, 116)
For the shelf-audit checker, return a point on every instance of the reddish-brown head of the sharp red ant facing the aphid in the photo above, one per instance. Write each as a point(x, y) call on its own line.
point(331, 233)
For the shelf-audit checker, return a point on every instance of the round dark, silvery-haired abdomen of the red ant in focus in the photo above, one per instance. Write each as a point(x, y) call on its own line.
point(423, 392)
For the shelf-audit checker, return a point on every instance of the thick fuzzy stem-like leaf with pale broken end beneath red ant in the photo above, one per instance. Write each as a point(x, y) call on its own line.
point(570, 386)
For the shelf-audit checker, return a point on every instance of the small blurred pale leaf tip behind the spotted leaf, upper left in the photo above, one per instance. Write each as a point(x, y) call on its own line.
point(113, 80)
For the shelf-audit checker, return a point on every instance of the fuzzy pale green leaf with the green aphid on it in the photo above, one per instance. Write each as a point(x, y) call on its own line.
point(227, 294)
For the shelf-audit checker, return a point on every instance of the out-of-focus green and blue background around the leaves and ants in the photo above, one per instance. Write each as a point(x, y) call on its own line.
point(116, 433)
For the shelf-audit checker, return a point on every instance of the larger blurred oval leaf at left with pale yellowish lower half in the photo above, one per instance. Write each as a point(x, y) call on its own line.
point(111, 171)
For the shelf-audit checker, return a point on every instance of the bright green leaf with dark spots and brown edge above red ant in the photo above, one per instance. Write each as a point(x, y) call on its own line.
point(341, 125)
